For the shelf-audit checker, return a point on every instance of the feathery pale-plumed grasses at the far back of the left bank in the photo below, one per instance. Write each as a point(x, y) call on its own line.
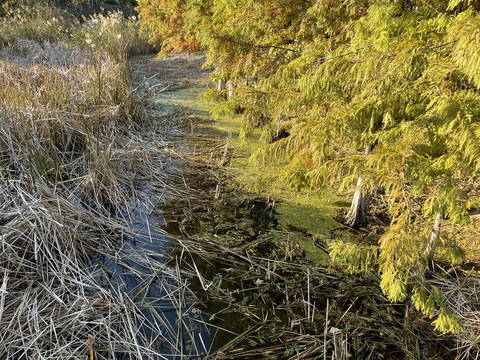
point(112, 32)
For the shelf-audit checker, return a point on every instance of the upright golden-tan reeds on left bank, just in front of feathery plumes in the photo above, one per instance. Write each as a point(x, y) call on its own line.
point(87, 95)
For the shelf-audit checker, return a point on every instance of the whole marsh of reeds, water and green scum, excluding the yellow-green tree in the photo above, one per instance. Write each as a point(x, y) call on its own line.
point(135, 225)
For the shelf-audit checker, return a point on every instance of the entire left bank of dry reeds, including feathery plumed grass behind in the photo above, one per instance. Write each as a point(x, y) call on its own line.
point(71, 167)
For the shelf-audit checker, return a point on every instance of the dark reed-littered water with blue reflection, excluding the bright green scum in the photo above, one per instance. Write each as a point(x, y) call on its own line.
point(252, 303)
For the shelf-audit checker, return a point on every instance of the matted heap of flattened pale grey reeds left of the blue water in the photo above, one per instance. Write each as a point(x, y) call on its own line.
point(51, 303)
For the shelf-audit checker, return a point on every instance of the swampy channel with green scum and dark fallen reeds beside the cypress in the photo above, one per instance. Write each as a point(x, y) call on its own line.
point(258, 262)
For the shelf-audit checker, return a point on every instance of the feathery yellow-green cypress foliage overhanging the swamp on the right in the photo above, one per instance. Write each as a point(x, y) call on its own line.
point(380, 96)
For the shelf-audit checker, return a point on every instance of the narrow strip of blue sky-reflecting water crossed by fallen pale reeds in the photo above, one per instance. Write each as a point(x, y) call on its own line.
point(148, 273)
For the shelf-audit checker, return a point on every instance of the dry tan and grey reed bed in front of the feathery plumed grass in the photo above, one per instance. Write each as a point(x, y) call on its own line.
point(74, 171)
